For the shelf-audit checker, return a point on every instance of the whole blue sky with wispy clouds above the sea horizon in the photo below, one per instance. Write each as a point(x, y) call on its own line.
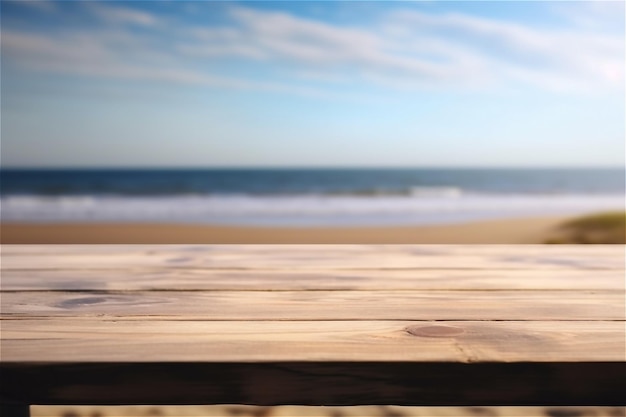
point(312, 84)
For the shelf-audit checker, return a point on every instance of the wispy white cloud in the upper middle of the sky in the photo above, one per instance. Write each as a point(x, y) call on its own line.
point(315, 45)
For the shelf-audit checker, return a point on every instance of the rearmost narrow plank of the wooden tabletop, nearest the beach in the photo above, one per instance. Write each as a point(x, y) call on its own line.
point(306, 257)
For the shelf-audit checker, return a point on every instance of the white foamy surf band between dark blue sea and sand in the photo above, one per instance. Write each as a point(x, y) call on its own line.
point(428, 206)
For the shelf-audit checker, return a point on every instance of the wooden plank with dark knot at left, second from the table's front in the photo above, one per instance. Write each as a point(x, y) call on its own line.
point(320, 305)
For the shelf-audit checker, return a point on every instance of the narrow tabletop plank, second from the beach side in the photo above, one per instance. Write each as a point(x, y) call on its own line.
point(167, 278)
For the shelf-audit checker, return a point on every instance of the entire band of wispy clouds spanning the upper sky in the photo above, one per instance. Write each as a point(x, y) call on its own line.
point(405, 49)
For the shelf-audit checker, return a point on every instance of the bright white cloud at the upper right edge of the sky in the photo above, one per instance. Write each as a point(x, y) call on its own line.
point(516, 52)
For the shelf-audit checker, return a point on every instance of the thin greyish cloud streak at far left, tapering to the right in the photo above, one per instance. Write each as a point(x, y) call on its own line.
point(94, 55)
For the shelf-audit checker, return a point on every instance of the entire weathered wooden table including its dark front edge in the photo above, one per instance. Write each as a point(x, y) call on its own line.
point(307, 324)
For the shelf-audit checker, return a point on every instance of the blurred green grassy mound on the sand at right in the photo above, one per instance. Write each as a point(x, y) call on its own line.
point(601, 228)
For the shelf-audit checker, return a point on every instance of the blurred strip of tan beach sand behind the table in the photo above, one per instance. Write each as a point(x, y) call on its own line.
point(527, 230)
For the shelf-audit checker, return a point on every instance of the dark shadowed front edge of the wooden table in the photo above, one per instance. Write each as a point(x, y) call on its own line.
point(325, 383)
